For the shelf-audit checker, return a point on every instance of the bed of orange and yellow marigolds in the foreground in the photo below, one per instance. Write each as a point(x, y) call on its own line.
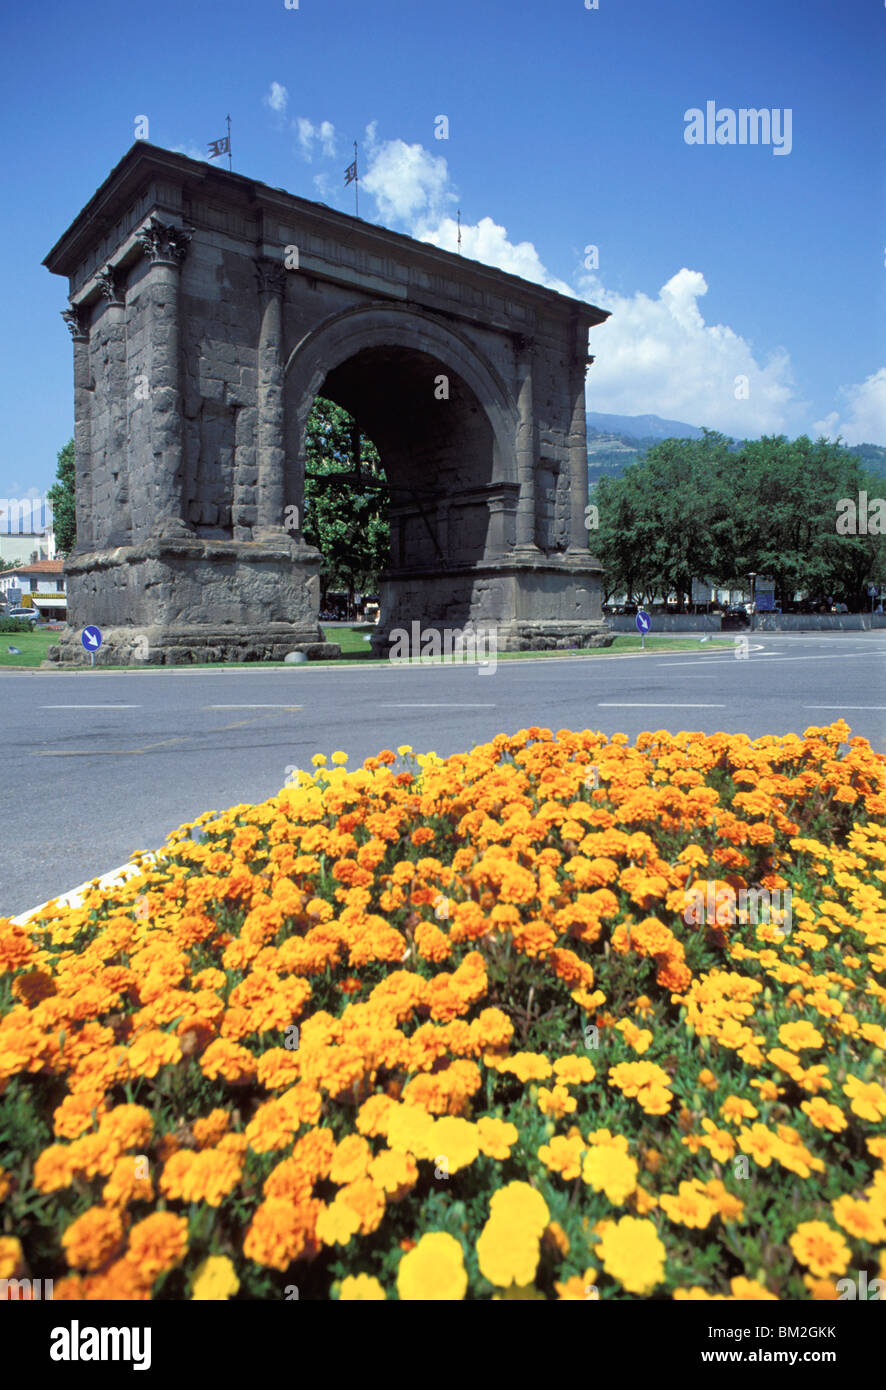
point(444, 1029)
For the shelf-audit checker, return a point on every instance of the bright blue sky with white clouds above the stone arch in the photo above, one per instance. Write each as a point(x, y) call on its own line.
point(720, 263)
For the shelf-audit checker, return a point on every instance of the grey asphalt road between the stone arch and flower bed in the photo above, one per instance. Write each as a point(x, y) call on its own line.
point(101, 764)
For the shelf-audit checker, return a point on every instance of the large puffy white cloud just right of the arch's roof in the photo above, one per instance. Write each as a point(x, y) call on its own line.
point(659, 357)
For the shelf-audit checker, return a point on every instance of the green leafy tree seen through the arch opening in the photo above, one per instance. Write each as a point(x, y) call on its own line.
point(346, 501)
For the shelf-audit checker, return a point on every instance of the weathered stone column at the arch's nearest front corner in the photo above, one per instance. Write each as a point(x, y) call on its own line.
point(166, 248)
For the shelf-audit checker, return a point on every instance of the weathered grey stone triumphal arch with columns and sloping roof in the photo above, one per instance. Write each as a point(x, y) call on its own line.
point(208, 313)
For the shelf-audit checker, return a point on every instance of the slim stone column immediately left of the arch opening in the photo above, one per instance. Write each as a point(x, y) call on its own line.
point(271, 432)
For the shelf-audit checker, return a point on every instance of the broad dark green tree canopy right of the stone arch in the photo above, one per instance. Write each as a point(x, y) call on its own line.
point(696, 509)
